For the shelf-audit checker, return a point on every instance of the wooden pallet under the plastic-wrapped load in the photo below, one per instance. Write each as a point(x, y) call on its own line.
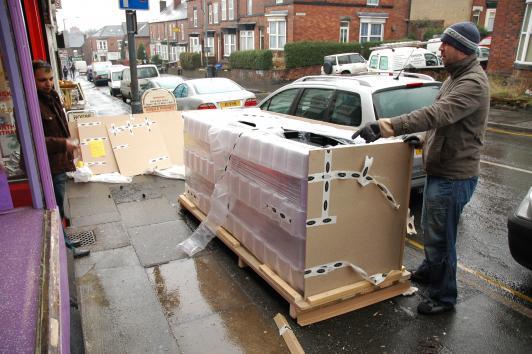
point(317, 307)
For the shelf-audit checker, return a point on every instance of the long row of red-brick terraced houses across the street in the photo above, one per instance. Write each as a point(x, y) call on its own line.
point(225, 26)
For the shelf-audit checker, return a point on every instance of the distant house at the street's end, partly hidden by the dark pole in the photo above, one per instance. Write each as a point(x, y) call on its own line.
point(106, 43)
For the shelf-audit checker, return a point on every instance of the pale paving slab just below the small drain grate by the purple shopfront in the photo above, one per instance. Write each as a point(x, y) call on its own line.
point(115, 258)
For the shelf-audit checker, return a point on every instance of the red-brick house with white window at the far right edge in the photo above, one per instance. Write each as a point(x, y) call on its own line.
point(511, 46)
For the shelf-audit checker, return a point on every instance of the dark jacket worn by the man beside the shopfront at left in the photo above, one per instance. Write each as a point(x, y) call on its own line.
point(55, 132)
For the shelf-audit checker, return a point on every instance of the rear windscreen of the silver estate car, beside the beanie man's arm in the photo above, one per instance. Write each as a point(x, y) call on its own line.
point(402, 100)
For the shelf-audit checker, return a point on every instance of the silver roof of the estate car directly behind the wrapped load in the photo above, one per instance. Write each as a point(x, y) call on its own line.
point(370, 82)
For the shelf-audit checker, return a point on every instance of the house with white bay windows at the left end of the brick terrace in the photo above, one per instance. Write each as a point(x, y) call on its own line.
point(168, 33)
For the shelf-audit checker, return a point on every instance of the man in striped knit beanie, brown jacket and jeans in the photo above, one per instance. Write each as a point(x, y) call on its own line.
point(455, 125)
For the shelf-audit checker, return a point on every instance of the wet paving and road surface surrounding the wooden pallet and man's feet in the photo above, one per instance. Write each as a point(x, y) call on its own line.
point(138, 293)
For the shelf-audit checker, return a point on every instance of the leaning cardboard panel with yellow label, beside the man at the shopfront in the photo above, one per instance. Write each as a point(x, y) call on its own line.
point(93, 139)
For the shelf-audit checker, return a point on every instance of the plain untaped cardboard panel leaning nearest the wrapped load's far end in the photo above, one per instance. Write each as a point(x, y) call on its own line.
point(171, 126)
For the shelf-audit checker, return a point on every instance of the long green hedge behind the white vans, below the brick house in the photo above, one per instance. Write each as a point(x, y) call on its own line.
point(298, 54)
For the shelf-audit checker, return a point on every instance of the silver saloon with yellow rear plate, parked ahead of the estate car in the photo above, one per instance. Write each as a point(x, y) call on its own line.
point(212, 93)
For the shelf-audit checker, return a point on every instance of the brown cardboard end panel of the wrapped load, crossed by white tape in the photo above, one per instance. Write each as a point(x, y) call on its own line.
point(367, 230)
